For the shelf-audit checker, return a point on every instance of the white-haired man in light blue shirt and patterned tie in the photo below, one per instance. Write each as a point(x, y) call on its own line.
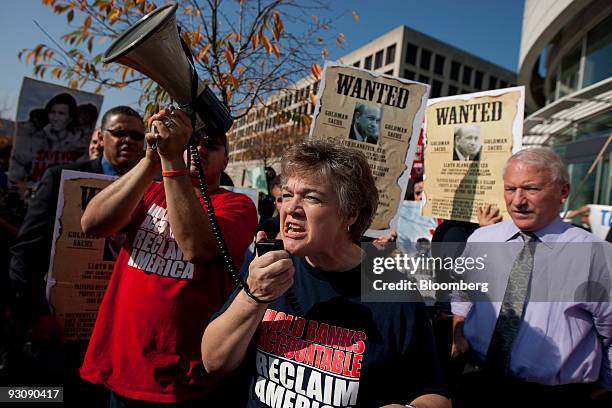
point(537, 345)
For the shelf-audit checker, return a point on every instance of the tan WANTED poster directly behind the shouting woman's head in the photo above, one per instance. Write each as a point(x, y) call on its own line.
point(379, 115)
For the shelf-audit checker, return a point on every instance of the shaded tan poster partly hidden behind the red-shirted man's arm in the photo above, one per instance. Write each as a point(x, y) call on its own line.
point(81, 265)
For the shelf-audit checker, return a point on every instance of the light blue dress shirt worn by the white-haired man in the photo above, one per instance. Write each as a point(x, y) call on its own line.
point(559, 342)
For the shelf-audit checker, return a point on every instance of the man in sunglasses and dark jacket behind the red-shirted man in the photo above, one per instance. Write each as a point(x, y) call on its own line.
point(123, 134)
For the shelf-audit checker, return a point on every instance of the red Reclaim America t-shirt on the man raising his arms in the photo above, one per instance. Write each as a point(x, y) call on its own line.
point(146, 340)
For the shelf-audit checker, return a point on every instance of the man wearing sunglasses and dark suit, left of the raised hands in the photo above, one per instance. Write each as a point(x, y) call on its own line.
point(122, 136)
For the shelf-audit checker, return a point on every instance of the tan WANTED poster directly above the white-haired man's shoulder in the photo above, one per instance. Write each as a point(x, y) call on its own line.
point(468, 139)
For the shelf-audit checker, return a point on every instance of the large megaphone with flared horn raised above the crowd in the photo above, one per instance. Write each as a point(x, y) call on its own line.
point(153, 47)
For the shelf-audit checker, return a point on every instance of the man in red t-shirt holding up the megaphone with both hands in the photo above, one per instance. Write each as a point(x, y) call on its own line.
point(169, 278)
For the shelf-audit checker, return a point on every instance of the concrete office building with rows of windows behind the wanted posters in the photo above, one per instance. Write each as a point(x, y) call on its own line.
point(403, 52)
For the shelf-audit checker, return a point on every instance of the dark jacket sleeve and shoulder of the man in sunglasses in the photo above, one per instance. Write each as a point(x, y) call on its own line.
point(32, 249)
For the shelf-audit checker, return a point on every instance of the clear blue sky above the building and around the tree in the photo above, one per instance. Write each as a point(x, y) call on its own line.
point(490, 29)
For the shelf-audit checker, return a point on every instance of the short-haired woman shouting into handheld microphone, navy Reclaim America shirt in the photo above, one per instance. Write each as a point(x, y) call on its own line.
point(334, 350)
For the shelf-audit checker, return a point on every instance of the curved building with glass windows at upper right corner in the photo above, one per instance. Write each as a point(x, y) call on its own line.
point(566, 66)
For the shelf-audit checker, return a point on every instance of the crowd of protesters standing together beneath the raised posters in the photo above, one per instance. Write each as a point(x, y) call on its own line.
point(179, 331)
